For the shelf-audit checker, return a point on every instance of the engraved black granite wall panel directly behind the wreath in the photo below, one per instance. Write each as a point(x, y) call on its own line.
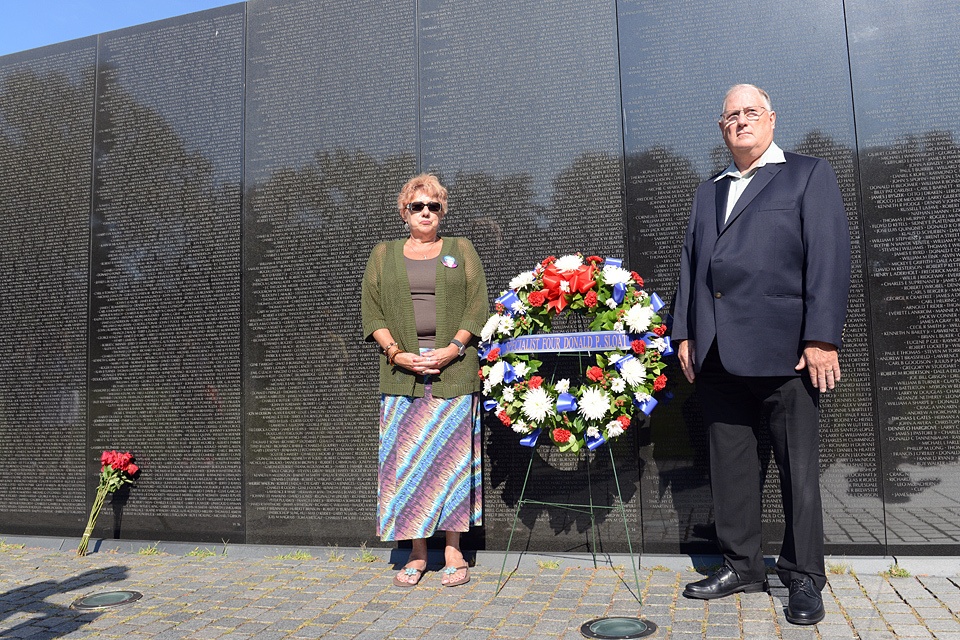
point(527, 136)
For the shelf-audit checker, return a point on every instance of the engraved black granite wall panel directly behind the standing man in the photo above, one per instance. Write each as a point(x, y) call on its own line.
point(676, 67)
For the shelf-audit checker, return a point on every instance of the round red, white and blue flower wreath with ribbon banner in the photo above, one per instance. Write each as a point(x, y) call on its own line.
point(628, 370)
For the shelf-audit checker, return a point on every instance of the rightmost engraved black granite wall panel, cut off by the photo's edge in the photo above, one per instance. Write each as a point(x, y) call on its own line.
point(906, 77)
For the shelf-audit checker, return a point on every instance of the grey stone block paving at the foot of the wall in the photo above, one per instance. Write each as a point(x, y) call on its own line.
point(238, 593)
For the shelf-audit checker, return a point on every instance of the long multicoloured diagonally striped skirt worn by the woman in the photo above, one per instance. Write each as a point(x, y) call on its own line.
point(429, 469)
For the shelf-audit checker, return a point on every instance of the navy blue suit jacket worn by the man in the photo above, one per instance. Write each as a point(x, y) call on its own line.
point(774, 276)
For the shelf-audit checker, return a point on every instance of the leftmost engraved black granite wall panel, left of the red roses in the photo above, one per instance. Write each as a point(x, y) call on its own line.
point(46, 137)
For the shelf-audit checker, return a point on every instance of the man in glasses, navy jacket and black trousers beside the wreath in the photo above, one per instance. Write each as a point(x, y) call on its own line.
point(759, 316)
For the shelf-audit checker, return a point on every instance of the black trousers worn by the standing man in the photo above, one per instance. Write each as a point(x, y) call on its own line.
point(733, 408)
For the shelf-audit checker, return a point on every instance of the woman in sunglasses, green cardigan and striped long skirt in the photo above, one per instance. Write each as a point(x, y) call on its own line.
point(424, 298)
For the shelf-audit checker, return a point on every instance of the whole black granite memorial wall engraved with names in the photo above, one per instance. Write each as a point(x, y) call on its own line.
point(188, 206)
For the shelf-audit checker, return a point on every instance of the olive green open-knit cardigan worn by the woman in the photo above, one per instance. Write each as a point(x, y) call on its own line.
point(385, 302)
